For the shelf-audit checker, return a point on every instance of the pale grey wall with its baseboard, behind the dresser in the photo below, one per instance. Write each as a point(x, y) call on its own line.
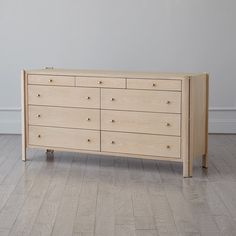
point(149, 35)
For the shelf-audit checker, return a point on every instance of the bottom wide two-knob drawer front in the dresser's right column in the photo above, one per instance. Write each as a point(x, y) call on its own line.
point(141, 144)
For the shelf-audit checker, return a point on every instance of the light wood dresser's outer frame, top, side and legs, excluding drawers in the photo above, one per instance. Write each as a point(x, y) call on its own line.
point(194, 113)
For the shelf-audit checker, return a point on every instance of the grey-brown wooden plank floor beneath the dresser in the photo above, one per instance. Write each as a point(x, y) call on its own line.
point(84, 195)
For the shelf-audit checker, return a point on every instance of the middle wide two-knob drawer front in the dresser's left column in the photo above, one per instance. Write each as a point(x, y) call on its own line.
point(64, 117)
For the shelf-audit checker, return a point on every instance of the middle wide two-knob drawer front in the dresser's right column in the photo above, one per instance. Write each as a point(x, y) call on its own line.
point(141, 122)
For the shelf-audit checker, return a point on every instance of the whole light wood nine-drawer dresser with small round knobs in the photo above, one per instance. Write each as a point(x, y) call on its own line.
point(140, 115)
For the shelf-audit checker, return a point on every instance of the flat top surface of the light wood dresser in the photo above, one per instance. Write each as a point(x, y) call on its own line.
point(114, 74)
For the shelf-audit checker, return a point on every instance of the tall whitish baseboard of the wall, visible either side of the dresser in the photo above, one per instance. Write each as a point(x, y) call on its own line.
point(221, 120)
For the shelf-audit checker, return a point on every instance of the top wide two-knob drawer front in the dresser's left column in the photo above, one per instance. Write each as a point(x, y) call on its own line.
point(64, 96)
